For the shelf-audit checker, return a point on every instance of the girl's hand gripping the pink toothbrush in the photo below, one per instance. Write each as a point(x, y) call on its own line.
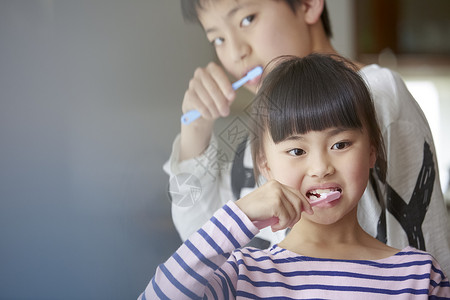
point(275, 200)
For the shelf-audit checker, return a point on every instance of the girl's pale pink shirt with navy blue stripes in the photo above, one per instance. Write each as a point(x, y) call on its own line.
point(213, 264)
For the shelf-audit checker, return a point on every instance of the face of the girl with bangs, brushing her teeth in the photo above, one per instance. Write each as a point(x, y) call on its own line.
point(333, 159)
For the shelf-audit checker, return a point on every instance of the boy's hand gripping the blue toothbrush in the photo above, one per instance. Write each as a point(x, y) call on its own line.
point(210, 92)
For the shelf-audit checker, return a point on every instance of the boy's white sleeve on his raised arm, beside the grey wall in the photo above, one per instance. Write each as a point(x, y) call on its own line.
point(197, 187)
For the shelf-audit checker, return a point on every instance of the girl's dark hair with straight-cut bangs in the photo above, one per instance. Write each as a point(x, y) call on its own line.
point(313, 93)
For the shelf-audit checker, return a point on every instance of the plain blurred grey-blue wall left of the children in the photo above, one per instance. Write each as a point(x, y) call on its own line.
point(90, 101)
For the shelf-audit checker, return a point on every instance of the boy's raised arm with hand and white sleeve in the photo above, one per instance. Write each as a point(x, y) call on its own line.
point(195, 154)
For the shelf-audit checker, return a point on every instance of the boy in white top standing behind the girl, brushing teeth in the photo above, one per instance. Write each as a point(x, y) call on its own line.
point(405, 208)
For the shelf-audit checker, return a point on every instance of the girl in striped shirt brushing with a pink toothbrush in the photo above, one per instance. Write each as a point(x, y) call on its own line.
point(313, 137)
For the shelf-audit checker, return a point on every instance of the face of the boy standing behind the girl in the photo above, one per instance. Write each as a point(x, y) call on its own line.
point(250, 33)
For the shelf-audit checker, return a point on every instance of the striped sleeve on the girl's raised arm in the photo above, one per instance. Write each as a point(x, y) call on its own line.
point(194, 270)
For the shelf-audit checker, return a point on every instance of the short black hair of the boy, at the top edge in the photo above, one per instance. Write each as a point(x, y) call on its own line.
point(189, 9)
